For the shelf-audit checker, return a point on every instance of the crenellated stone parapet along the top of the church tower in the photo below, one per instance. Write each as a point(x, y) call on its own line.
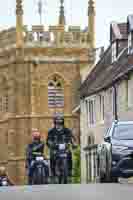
point(47, 36)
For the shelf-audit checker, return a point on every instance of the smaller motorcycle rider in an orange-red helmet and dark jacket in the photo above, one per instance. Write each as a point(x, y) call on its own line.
point(33, 149)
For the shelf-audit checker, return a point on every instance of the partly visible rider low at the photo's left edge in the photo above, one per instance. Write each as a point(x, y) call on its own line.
point(4, 176)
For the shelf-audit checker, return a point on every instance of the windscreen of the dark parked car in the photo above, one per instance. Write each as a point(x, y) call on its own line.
point(123, 132)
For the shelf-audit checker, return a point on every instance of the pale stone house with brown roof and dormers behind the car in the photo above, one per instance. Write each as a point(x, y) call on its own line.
point(107, 92)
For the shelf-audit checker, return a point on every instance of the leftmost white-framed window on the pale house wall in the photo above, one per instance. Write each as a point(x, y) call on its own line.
point(91, 111)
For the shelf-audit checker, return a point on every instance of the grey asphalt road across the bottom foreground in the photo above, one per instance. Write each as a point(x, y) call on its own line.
point(69, 192)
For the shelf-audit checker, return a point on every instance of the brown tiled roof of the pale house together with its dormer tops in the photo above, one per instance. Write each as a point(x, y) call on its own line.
point(105, 74)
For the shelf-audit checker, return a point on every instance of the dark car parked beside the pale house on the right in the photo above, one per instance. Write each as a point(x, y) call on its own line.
point(115, 153)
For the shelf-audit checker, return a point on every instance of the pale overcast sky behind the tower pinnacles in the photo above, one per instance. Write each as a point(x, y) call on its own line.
point(76, 14)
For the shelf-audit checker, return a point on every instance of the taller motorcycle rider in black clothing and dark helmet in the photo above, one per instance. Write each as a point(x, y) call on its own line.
point(56, 132)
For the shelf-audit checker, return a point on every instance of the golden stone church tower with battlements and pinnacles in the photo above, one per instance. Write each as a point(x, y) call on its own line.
point(40, 74)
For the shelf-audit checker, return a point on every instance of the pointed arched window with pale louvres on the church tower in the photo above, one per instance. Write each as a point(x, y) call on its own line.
point(55, 93)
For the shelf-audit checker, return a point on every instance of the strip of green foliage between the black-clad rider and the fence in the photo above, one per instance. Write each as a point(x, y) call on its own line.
point(76, 166)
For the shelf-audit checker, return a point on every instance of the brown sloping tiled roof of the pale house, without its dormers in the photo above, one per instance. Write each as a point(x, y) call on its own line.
point(105, 74)
